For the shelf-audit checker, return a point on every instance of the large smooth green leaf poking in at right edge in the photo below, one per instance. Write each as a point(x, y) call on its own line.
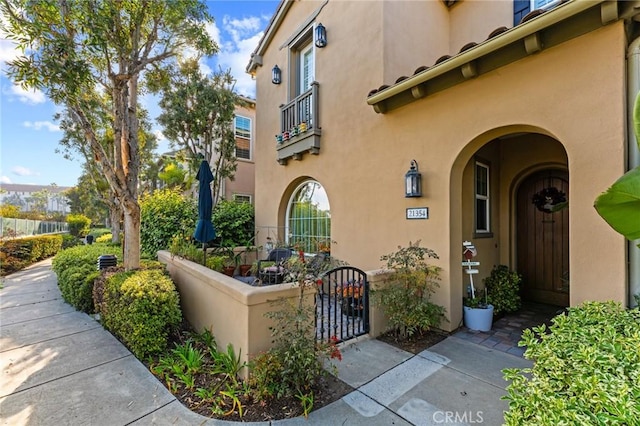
point(619, 206)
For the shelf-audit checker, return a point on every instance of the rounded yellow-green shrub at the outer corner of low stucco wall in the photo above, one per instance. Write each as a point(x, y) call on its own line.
point(141, 308)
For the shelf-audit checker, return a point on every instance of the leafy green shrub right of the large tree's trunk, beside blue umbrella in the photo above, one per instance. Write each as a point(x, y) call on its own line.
point(164, 214)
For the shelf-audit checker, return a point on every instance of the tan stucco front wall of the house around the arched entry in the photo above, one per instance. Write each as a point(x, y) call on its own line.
point(573, 93)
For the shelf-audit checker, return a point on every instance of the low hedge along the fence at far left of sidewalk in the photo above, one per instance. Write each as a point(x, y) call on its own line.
point(18, 253)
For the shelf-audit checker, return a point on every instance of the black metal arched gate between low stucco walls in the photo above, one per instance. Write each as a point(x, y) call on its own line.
point(342, 305)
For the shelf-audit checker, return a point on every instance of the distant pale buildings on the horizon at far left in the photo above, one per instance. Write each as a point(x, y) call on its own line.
point(28, 196)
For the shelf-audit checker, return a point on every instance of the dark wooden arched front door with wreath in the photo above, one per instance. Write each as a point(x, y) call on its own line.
point(543, 240)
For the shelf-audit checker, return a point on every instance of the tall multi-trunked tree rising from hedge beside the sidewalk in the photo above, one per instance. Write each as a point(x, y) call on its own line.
point(75, 51)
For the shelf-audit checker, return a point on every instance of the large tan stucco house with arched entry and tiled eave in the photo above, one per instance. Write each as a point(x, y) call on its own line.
point(496, 103)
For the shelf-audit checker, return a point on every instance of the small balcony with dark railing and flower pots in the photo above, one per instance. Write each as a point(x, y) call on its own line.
point(299, 127)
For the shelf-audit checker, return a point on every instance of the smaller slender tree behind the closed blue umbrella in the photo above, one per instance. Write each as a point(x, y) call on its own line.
point(197, 118)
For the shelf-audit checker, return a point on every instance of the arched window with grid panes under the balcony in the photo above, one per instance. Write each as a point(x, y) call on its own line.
point(309, 218)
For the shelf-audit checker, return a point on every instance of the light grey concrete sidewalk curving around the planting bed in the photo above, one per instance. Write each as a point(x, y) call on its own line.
point(60, 367)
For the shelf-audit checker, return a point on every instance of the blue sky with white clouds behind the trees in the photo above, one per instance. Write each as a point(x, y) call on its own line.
point(29, 136)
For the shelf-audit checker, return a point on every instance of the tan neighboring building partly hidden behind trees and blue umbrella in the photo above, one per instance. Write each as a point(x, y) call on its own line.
point(242, 187)
